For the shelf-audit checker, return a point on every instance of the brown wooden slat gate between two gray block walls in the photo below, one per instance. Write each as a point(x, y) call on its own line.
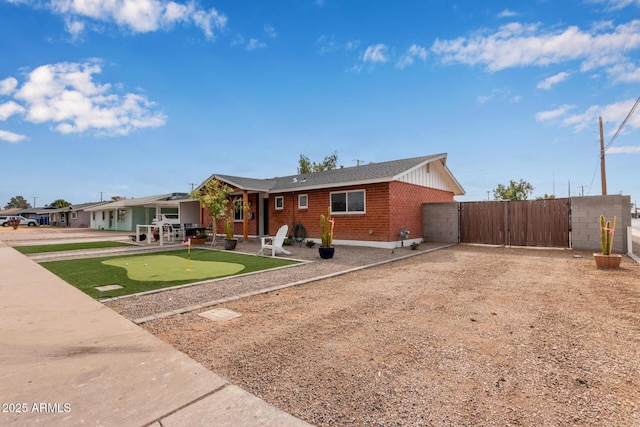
point(517, 223)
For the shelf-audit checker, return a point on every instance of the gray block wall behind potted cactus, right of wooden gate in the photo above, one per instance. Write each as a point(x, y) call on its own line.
point(585, 221)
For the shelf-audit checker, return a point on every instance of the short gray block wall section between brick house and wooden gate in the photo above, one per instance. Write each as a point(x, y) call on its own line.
point(440, 222)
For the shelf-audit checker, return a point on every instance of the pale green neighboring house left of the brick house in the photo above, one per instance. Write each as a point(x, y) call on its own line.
point(125, 214)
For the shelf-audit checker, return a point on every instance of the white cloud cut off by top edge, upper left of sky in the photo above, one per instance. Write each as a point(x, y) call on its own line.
point(138, 16)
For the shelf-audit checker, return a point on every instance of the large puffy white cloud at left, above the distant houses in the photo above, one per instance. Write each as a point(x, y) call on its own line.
point(66, 95)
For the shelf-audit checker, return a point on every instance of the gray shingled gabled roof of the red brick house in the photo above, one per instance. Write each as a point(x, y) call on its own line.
point(355, 175)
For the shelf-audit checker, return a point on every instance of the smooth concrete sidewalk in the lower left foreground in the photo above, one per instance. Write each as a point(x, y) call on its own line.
point(68, 360)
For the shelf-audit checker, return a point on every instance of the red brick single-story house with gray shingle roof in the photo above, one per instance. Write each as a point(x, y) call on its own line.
point(371, 204)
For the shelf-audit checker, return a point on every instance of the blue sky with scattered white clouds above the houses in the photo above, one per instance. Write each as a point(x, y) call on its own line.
point(141, 97)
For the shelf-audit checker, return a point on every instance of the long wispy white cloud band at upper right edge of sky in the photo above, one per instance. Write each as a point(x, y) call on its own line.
point(518, 45)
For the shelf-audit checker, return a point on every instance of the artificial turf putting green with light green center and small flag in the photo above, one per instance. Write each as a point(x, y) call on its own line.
point(162, 270)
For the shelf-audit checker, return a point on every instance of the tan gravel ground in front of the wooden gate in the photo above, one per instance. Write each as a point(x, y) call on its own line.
point(462, 336)
